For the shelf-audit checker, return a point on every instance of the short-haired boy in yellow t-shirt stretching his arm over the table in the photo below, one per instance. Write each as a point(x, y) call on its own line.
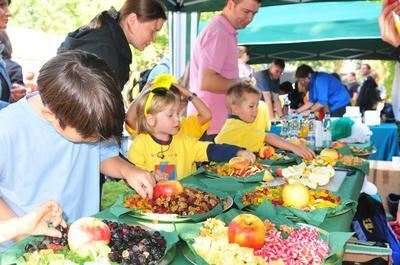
point(242, 101)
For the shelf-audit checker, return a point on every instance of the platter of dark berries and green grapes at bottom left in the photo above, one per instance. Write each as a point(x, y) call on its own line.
point(154, 247)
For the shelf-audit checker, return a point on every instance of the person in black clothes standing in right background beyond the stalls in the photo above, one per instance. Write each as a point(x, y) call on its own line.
point(368, 93)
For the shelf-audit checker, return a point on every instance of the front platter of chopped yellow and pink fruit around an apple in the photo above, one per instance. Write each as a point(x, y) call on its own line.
point(211, 245)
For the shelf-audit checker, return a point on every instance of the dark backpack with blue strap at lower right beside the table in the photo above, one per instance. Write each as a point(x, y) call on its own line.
point(370, 224)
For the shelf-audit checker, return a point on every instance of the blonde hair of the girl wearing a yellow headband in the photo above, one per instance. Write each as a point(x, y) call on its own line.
point(158, 104)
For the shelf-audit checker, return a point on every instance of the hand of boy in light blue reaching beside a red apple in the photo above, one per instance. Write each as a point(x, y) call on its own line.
point(141, 181)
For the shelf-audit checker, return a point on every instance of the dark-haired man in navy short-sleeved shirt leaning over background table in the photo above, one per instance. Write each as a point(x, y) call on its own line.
point(268, 81)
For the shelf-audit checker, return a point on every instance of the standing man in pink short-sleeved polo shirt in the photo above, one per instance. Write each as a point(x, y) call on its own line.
point(214, 65)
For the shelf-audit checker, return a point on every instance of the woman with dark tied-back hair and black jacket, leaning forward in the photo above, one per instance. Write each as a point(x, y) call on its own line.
point(110, 33)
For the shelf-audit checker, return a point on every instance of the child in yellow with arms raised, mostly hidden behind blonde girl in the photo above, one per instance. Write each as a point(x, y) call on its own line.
point(193, 125)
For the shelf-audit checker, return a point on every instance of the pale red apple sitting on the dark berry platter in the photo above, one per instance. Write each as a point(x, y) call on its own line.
point(86, 234)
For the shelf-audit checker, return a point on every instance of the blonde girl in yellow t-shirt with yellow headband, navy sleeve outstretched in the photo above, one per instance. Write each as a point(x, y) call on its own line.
point(158, 145)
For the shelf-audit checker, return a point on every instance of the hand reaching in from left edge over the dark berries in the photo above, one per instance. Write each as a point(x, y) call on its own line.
point(36, 221)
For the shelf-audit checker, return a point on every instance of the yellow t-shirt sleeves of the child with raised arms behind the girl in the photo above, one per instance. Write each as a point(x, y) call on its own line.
point(190, 125)
